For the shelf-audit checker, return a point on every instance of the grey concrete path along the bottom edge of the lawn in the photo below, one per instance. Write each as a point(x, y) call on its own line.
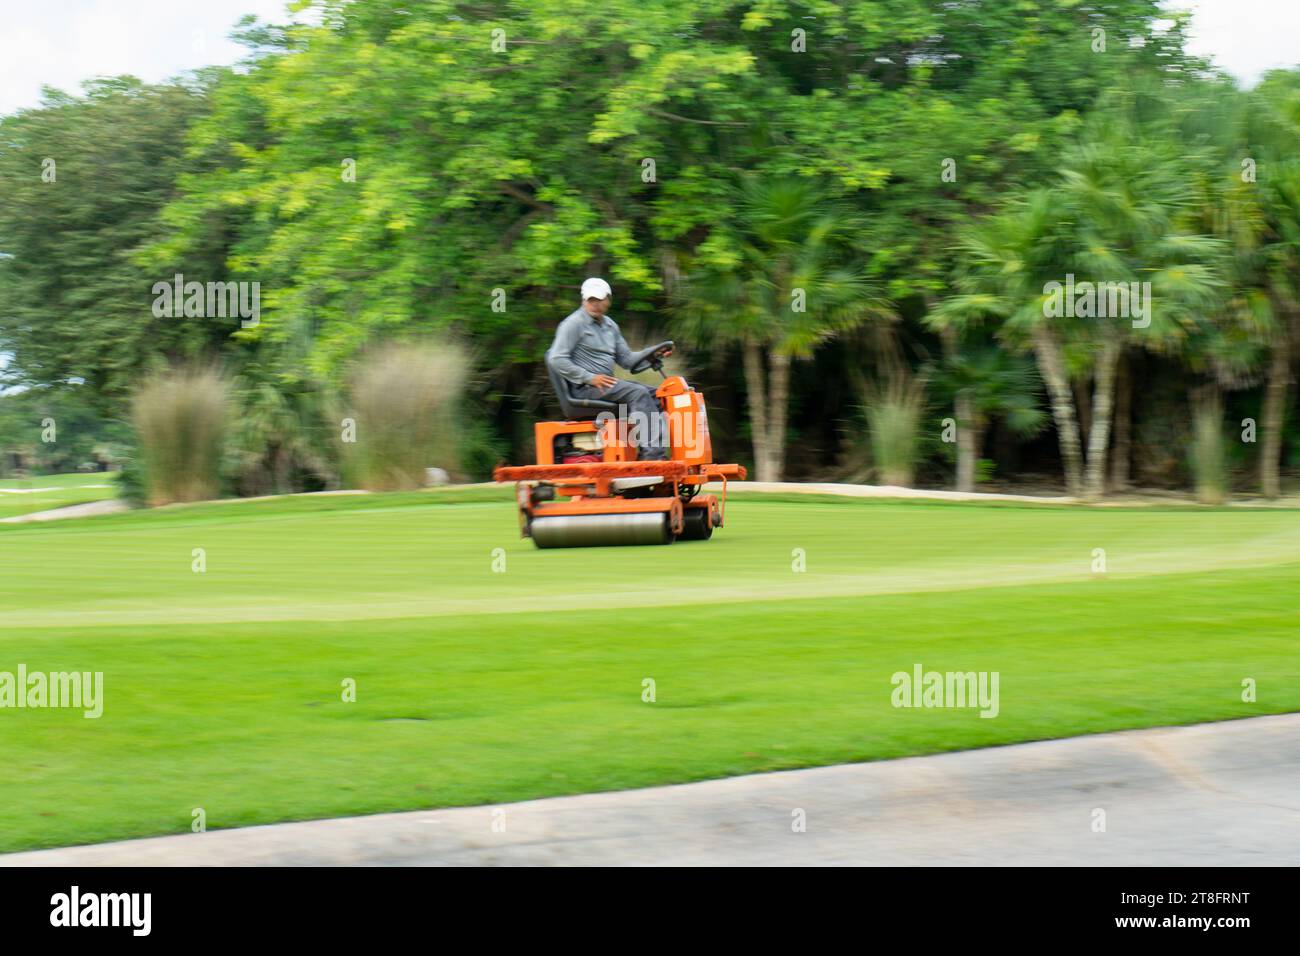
point(1217, 794)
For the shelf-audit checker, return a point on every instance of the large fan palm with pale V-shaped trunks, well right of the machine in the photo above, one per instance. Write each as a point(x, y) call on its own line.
point(1119, 215)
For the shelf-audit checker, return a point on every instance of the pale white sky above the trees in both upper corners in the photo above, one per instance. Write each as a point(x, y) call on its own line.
point(63, 42)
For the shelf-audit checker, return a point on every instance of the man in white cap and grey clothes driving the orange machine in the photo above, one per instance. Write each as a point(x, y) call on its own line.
point(588, 344)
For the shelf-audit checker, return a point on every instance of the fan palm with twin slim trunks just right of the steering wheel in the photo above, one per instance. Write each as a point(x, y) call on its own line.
point(778, 282)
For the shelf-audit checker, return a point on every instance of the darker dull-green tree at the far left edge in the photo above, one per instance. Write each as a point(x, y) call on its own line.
point(85, 179)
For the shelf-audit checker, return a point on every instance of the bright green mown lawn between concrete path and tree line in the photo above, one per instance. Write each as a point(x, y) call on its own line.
point(224, 689)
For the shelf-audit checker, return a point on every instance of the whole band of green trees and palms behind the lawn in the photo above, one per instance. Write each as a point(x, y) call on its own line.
point(398, 170)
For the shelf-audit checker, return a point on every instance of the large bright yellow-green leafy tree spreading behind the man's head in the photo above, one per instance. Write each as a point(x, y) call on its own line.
point(418, 166)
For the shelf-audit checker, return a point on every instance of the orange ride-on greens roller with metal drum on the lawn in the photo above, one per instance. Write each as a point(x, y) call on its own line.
point(590, 490)
